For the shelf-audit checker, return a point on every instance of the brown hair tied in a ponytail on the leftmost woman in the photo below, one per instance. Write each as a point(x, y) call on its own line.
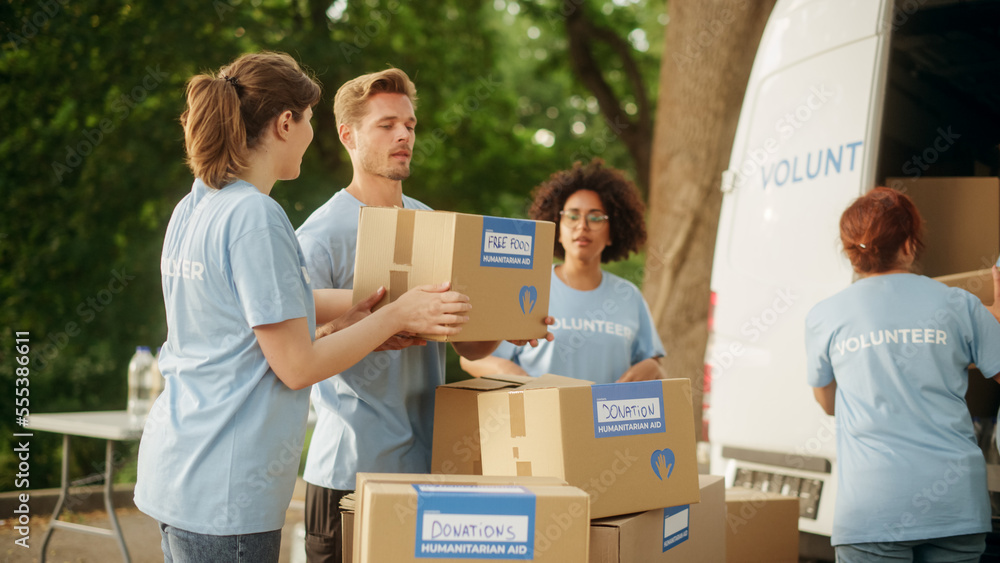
point(227, 113)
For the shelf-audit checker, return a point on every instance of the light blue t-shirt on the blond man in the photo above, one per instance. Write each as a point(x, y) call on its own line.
point(377, 416)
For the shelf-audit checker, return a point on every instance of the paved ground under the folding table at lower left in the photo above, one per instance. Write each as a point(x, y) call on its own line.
point(141, 537)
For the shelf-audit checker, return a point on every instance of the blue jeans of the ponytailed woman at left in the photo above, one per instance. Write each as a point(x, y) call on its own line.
point(182, 546)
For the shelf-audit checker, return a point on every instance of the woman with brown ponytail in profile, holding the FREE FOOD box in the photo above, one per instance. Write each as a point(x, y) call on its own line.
point(221, 447)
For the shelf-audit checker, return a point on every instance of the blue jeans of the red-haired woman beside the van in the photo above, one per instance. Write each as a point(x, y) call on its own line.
point(952, 549)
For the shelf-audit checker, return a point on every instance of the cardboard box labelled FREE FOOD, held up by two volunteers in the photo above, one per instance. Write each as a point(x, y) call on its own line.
point(503, 265)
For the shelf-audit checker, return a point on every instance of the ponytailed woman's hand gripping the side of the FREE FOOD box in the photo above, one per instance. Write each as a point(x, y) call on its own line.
point(431, 309)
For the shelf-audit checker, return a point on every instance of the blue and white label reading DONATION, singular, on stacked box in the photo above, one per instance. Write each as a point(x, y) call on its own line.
point(624, 409)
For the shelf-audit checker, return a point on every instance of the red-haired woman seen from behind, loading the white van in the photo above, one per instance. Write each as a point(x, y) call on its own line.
point(891, 353)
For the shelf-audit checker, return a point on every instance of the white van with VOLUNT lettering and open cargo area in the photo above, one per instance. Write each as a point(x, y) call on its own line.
point(844, 95)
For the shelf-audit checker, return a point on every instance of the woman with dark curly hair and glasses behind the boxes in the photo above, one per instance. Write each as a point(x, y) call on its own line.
point(603, 329)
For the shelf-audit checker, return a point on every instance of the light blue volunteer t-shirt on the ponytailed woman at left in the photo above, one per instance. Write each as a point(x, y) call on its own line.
point(221, 447)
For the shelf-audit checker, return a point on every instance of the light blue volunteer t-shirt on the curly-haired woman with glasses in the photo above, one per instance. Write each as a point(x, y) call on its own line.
point(599, 334)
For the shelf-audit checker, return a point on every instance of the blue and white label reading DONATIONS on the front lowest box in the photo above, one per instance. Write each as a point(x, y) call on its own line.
point(475, 522)
